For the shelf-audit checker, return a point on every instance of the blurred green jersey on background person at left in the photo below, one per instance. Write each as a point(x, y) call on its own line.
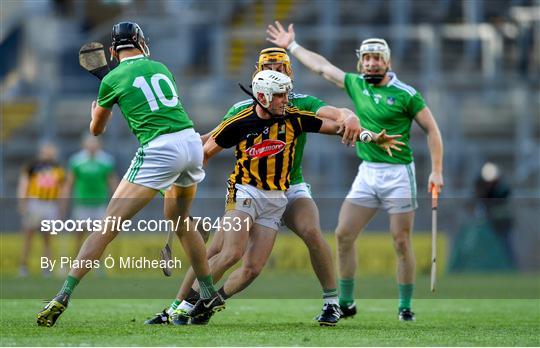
point(91, 177)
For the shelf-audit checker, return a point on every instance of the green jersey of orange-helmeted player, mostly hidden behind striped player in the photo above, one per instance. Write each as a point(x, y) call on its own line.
point(303, 102)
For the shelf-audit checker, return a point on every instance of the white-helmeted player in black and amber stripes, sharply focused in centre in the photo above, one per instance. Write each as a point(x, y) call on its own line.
point(265, 136)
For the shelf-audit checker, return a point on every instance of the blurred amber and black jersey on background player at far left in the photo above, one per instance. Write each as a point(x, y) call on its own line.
point(45, 179)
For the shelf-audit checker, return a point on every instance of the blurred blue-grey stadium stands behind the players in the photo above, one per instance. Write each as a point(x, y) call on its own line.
point(477, 63)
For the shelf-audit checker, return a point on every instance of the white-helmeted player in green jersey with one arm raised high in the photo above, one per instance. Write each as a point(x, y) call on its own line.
point(383, 181)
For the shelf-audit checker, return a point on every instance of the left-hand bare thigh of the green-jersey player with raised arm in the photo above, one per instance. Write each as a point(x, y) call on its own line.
point(353, 219)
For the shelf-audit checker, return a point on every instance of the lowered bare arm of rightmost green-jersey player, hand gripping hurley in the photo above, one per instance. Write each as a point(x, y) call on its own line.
point(427, 122)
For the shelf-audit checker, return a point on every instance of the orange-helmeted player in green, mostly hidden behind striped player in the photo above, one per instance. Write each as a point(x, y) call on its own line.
point(301, 214)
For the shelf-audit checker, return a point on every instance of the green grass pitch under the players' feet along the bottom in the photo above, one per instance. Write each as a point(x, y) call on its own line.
point(252, 322)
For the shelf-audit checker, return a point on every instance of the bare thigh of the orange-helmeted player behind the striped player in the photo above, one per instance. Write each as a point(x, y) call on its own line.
point(302, 217)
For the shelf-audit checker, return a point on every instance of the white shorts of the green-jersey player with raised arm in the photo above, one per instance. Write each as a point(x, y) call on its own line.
point(383, 185)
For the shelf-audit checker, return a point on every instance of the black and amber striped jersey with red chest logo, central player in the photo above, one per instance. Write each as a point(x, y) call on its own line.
point(265, 148)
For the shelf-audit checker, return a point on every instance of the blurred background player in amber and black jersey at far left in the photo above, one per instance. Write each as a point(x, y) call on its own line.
point(40, 186)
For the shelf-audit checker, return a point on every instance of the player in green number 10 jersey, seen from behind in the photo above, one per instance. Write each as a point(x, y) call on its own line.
point(170, 155)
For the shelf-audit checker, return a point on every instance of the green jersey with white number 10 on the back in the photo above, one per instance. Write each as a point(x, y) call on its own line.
point(146, 92)
